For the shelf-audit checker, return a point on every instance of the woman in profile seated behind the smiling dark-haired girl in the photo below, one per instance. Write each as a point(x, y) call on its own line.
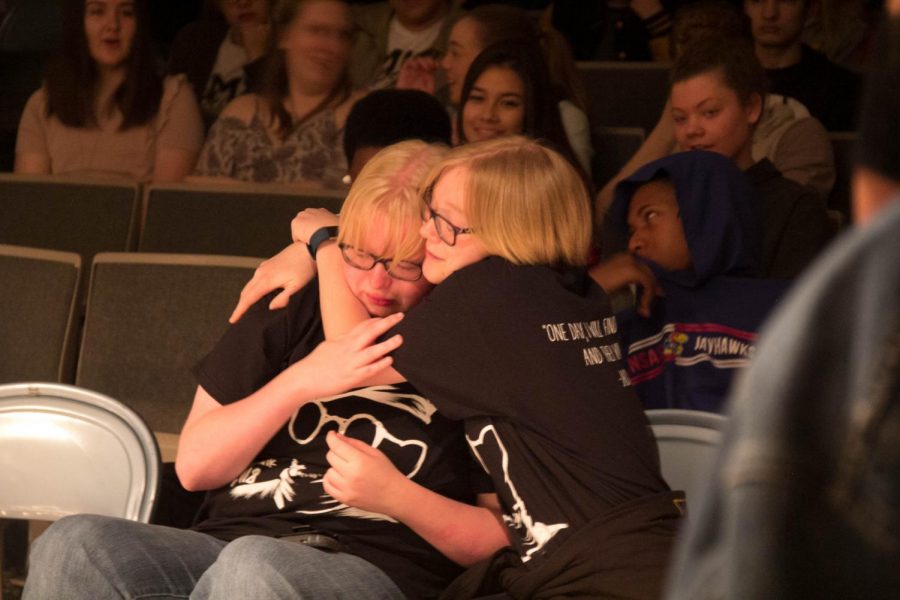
point(487, 25)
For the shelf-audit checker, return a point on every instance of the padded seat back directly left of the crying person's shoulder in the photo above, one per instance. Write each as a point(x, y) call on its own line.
point(150, 318)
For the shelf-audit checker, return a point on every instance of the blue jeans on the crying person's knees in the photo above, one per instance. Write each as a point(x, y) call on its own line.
point(88, 556)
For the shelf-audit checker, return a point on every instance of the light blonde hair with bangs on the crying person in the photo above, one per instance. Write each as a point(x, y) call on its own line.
point(388, 191)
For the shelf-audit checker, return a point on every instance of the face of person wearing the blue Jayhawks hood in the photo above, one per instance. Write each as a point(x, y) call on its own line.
point(655, 225)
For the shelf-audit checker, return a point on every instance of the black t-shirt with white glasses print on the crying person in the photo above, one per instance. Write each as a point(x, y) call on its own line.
point(282, 487)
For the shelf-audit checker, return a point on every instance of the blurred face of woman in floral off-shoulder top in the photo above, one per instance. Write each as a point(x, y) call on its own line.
point(317, 44)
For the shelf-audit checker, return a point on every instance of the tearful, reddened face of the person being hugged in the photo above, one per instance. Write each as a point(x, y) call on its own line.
point(381, 294)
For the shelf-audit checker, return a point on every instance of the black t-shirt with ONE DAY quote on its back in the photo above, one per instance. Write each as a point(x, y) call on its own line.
point(529, 357)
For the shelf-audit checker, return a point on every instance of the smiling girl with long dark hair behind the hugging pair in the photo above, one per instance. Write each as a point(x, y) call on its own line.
point(507, 91)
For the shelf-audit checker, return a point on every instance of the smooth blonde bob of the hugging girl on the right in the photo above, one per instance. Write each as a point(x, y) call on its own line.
point(524, 201)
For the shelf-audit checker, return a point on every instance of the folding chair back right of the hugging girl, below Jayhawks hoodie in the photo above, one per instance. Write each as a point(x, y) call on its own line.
point(688, 442)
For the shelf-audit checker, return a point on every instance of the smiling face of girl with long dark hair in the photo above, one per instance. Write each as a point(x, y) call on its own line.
point(495, 106)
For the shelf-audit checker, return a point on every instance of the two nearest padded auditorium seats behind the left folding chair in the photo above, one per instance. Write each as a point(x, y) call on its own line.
point(148, 319)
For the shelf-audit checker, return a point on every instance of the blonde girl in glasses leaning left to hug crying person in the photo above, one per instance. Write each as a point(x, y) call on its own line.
point(519, 343)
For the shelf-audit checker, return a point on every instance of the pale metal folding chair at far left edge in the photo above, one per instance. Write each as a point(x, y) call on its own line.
point(67, 450)
